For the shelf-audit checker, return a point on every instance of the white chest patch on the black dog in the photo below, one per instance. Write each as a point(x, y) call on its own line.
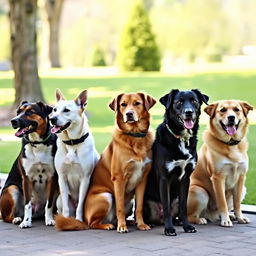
point(184, 159)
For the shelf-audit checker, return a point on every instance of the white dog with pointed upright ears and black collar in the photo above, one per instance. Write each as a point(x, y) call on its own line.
point(76, 154)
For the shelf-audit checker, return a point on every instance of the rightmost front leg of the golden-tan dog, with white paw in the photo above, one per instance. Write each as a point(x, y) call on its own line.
point(237, 198)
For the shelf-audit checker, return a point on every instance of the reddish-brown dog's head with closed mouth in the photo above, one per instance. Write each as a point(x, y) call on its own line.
point(132, 109)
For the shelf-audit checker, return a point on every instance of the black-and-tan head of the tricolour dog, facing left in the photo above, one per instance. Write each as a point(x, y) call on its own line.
point(31, 117)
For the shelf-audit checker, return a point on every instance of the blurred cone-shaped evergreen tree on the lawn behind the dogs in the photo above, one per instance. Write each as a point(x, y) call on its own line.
point(138, 49)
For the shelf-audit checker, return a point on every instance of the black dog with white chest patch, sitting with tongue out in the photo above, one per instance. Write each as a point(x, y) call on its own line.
point(174, 159)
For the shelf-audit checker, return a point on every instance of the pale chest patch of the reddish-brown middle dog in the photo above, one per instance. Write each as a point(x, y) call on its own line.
point(135, 172)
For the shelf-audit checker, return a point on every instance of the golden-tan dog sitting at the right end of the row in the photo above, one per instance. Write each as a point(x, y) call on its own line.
point(217, 184)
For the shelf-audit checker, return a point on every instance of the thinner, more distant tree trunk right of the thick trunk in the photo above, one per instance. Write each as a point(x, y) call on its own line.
point(54, 9)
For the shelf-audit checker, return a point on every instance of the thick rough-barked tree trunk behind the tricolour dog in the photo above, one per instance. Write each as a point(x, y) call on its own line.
point(24, 50)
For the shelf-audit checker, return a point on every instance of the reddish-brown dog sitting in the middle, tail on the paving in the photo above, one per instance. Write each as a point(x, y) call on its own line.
point(122, 169)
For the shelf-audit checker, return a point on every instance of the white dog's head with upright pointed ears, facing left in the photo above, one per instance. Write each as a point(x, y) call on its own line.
point(66, 113)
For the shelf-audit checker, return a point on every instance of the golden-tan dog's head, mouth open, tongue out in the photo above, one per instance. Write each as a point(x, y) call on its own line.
point(228, 118)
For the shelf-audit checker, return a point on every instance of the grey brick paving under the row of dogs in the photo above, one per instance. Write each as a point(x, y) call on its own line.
point(210, 240)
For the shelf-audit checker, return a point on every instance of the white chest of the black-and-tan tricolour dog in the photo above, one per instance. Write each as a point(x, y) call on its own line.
point(38, 163)
